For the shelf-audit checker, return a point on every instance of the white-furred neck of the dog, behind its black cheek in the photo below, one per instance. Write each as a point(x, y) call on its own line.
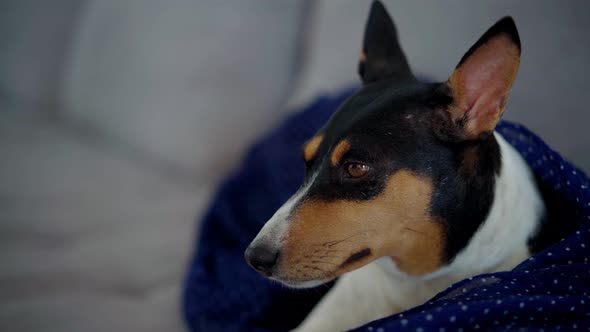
point(501, 240)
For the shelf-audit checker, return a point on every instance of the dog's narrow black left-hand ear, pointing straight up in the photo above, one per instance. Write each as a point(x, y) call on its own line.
point(381, 56)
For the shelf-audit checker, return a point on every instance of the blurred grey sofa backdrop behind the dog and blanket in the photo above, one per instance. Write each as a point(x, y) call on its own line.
point(119, 117)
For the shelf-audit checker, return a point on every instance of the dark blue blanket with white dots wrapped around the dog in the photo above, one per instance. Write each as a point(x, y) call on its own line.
point(551, 290)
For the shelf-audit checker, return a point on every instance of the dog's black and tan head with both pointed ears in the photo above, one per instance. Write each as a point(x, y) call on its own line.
point(403, 169)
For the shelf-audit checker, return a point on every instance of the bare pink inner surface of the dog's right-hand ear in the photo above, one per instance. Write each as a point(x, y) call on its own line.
point(481, 84)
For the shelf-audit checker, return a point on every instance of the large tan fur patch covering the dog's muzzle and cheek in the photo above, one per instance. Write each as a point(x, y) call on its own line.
point(323, 236)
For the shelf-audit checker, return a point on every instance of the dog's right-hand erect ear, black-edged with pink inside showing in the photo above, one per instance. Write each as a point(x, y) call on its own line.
point(480, 84)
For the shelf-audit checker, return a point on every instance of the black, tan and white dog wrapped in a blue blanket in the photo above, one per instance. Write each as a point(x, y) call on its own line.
point(408, 189)
